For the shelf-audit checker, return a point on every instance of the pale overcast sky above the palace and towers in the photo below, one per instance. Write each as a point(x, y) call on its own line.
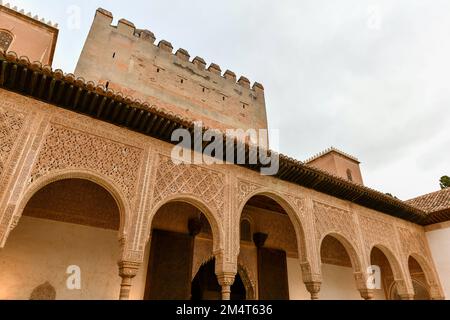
point(369, 77)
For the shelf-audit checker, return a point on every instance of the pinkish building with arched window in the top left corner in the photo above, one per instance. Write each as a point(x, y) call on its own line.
point(27, 35)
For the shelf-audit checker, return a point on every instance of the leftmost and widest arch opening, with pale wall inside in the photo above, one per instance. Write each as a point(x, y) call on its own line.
point(68, 228)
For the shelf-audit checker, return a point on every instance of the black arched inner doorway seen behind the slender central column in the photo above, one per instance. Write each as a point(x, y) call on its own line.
point(206, 287)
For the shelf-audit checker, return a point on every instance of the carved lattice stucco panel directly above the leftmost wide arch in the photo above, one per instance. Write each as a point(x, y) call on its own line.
point(67, 148)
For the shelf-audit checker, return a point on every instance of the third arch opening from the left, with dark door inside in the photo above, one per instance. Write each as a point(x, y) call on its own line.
point(269, 241)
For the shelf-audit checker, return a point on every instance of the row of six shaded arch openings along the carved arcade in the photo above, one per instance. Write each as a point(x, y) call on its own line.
point(76, 222)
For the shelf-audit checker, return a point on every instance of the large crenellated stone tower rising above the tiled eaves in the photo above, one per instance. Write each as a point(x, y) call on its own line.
point(133, 61)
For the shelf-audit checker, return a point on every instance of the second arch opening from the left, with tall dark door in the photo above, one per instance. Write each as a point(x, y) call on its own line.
point(176, 230)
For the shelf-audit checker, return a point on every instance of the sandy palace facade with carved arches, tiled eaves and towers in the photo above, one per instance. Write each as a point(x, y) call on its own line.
point(87, 180)
